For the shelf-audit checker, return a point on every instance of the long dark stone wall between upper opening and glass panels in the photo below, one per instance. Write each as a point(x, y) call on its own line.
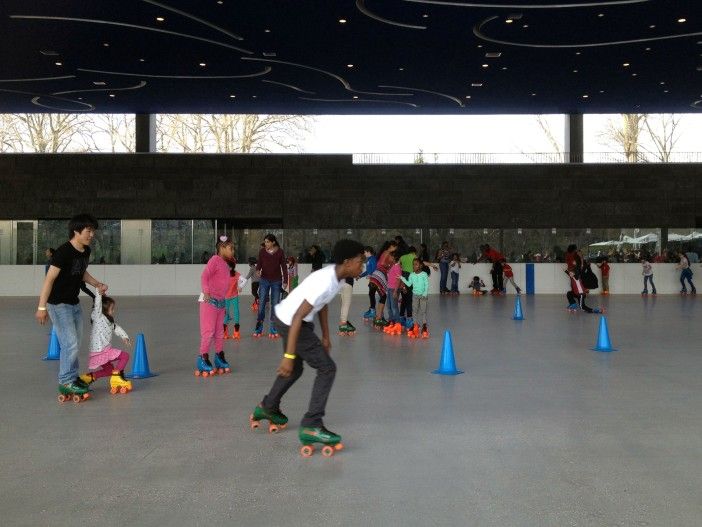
point(328, 191)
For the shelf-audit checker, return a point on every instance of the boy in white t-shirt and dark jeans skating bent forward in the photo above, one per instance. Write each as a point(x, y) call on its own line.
point(294, 320)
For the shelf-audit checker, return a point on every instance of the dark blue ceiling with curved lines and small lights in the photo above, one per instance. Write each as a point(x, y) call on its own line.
point(387, 56)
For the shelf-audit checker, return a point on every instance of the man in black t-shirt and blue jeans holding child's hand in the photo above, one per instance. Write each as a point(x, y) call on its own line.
point(59, 298)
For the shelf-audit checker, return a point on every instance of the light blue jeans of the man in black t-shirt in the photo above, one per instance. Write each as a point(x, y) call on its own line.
point(68, 323)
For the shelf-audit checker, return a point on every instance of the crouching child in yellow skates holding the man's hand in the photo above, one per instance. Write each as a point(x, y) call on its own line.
point(104, 360)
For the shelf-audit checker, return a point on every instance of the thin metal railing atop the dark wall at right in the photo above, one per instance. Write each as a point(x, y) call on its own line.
point(481, 158)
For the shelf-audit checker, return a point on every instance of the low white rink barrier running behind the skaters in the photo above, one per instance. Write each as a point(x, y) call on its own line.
point(174, 280)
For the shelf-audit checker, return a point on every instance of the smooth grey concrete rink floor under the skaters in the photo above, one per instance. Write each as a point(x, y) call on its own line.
point(540, 430)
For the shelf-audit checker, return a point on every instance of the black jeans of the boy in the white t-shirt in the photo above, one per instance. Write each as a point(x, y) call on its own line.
point(310, 350)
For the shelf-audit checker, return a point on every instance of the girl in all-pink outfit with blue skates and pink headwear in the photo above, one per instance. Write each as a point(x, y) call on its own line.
point(214, 281)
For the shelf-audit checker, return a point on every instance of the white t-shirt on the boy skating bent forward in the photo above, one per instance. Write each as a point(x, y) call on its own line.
point(318, 289)
